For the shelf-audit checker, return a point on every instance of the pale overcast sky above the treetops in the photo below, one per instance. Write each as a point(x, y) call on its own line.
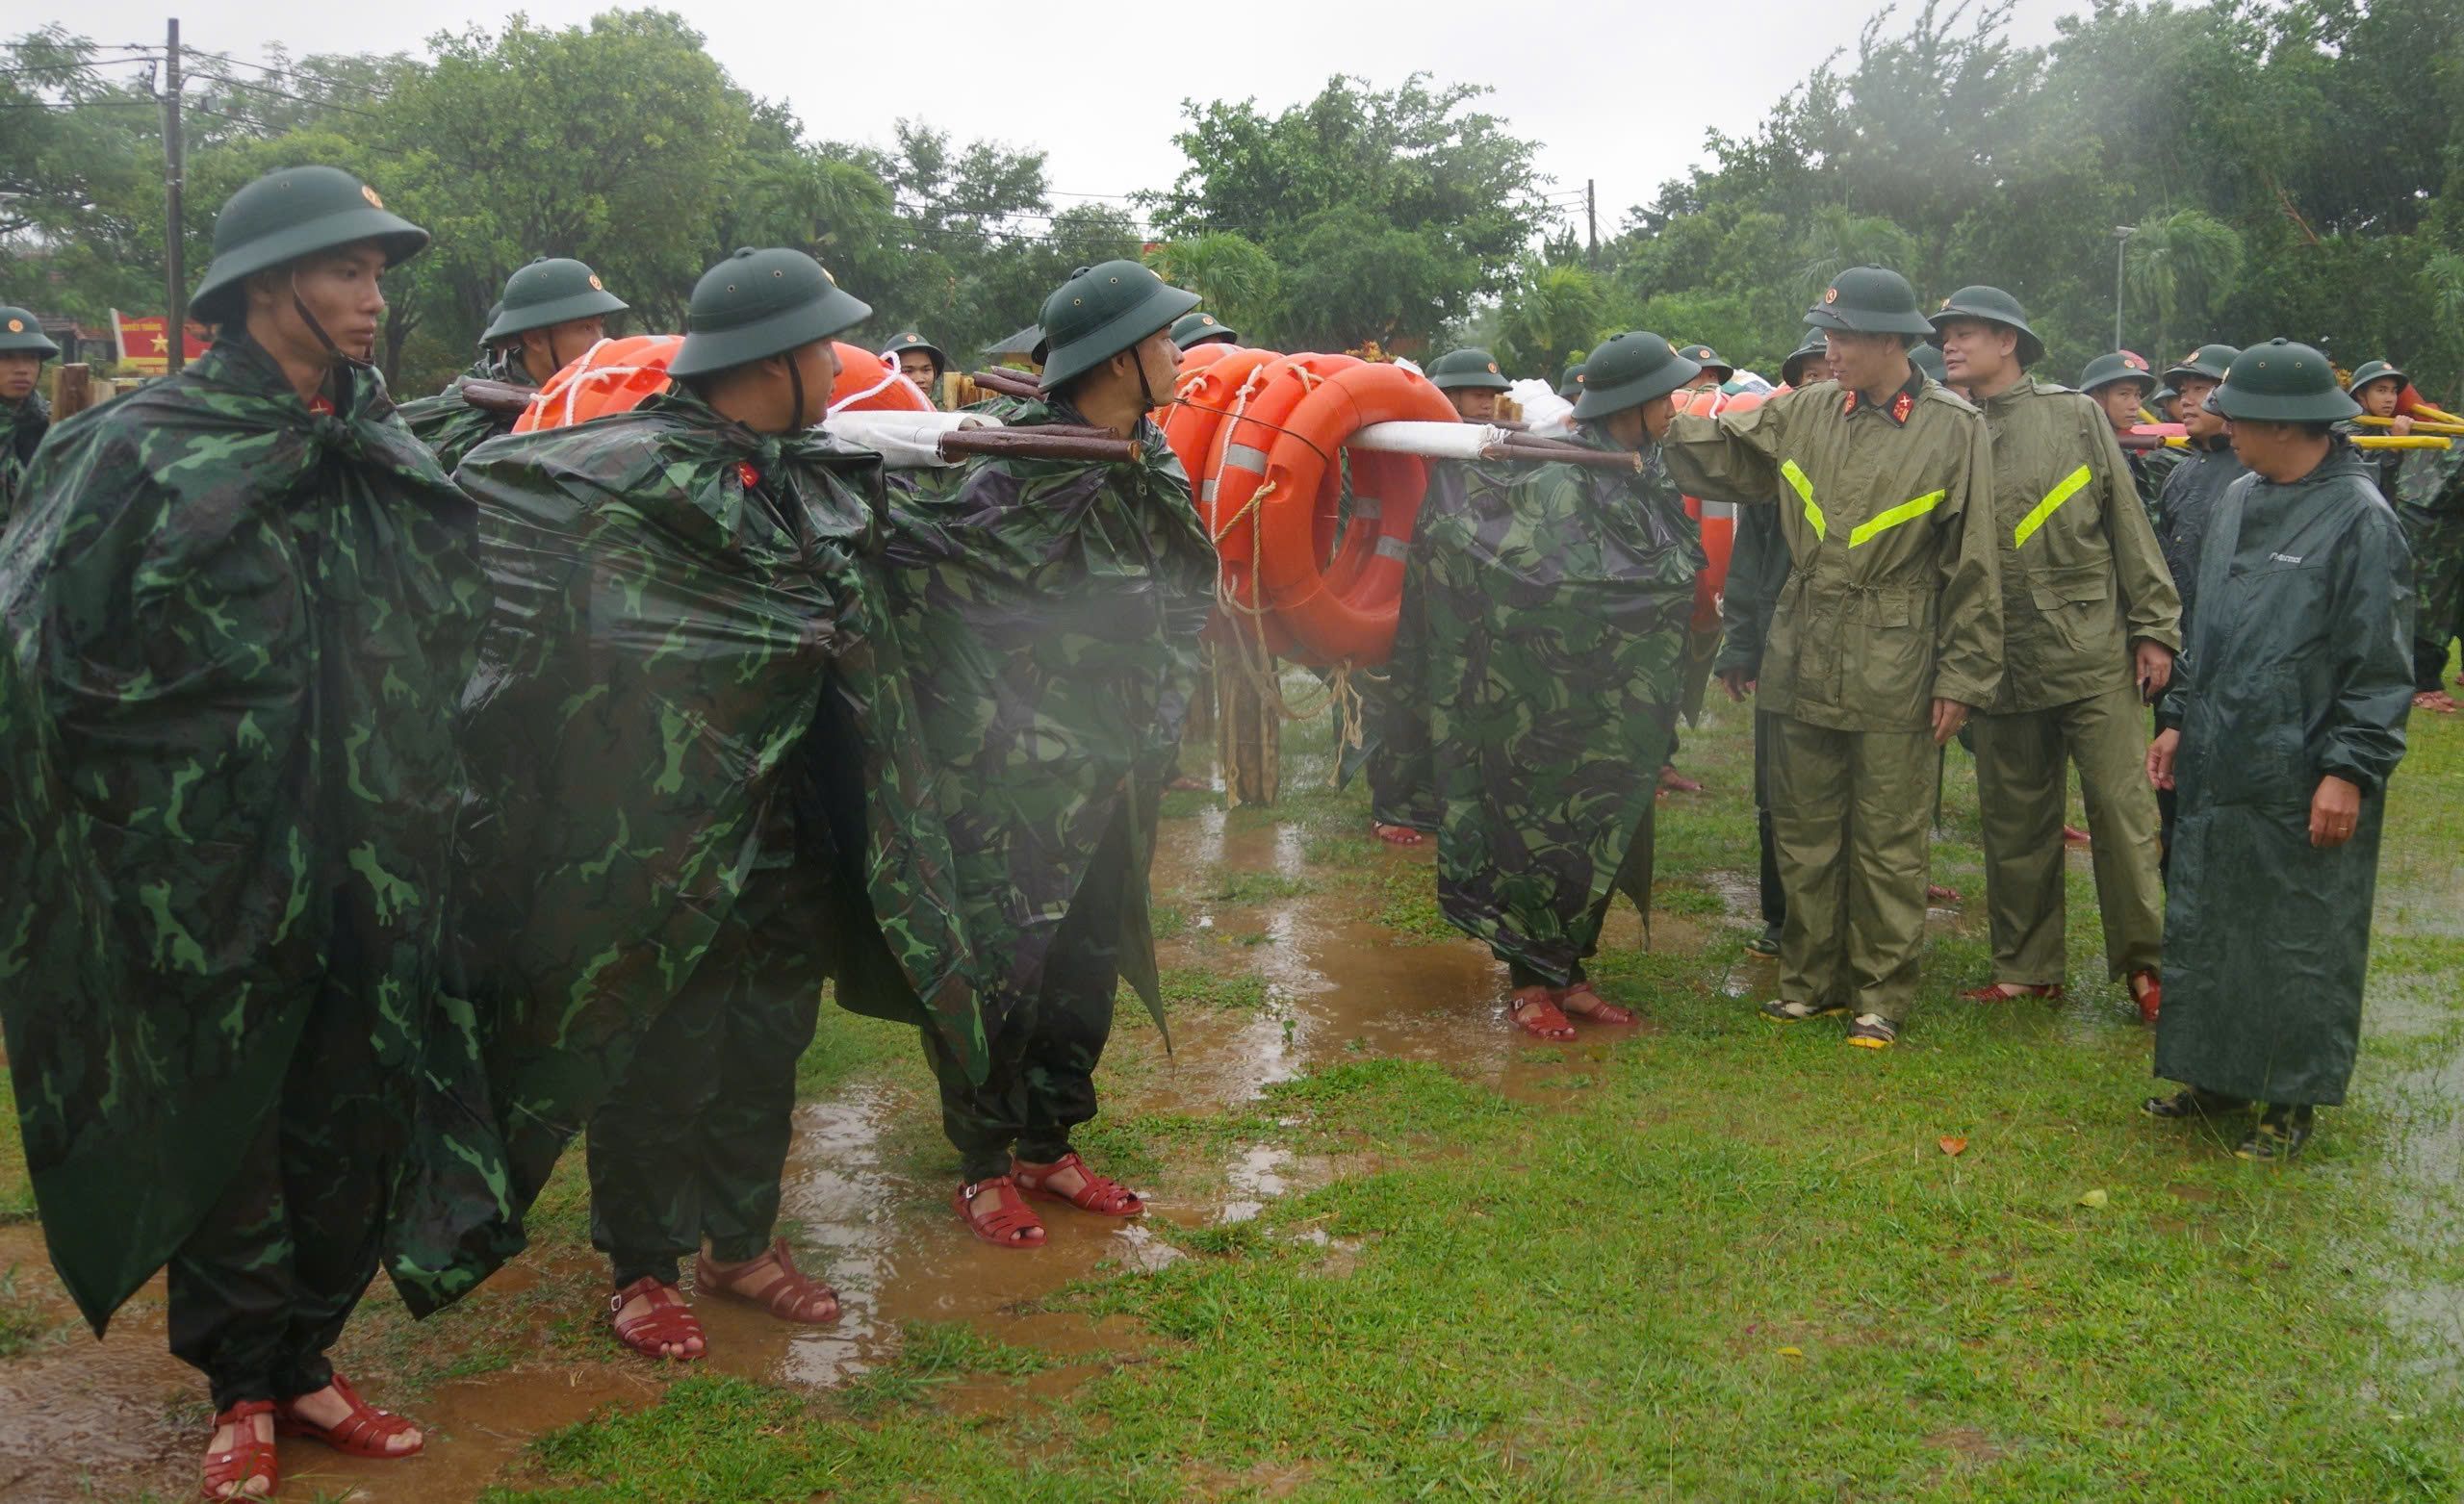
point(1615, 92)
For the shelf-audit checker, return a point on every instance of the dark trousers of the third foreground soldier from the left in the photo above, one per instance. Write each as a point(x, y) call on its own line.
point(1046, 1050)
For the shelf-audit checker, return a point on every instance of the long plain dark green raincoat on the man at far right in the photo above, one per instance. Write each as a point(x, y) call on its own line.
point(2298, 668)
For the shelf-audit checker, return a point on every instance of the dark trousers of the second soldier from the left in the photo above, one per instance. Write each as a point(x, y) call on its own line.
point(696, 1136)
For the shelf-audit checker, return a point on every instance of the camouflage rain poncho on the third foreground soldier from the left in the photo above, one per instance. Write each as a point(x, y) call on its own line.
point(1051, 614)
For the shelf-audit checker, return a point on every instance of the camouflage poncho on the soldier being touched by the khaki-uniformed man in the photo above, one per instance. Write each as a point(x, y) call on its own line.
point(1541, 636)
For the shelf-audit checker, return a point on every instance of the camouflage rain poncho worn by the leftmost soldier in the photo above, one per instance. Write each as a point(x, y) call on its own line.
point(243, 629)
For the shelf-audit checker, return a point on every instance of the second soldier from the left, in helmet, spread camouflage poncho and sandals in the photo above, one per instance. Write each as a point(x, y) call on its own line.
point(696, 782)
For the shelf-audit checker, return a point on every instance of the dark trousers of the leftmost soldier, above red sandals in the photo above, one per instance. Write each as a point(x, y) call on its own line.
point(275, 1269)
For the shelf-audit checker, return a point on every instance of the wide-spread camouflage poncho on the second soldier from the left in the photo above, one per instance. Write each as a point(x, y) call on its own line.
point(686, 678)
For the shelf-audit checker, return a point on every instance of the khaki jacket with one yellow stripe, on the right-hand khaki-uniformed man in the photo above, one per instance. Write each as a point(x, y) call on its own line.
point(2081, 570)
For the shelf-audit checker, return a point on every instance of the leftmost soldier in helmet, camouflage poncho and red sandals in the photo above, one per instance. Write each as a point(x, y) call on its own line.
point(243, 604)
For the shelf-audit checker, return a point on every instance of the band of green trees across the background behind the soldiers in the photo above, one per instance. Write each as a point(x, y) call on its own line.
point(2280, 166)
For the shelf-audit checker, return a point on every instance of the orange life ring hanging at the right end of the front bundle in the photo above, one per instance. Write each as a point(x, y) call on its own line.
point(1342, 597)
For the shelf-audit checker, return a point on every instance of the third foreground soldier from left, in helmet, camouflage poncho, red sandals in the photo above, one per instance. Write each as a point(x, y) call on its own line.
point(1051, 614)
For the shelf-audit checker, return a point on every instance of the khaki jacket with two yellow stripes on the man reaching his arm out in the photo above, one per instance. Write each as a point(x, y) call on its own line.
point(1886, 508)
